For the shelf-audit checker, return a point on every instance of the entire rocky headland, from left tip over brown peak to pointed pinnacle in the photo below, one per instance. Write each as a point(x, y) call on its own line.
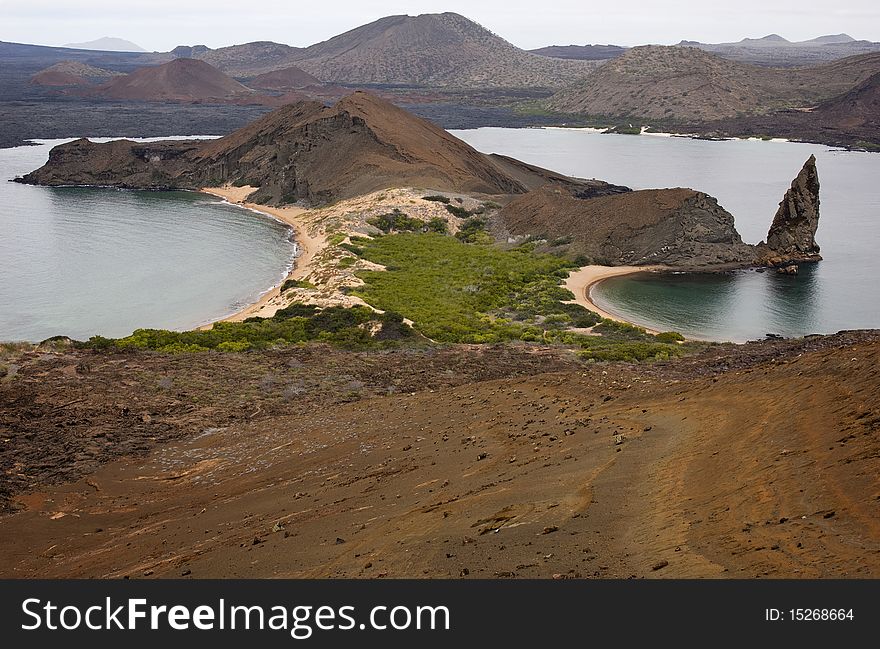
point(313, 155)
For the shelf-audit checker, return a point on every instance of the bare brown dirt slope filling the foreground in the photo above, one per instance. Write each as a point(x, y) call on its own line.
point(766, 468)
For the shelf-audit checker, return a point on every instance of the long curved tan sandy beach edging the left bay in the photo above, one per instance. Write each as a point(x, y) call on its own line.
point(307, 246)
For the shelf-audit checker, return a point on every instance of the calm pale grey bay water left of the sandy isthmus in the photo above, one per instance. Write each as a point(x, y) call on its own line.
point(80, 262)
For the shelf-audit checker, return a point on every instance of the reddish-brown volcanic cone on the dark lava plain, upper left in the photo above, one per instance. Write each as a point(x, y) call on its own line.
point(186, 80)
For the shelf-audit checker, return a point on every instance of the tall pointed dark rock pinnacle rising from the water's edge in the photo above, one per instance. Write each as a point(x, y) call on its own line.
point(792, 236)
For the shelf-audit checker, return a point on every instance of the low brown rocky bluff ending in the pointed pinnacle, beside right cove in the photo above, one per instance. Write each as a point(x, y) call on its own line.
point(675, 227)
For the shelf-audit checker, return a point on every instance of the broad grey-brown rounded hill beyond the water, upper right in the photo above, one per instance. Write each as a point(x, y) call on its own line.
point(690, 85)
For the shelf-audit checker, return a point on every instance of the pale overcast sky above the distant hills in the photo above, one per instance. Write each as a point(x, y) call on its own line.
point(162, 24)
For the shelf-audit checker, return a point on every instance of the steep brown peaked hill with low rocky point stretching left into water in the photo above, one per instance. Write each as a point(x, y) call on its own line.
point(304, 151)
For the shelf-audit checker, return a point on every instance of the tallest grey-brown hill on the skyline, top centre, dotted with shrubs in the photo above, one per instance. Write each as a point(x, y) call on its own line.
point(433, 49)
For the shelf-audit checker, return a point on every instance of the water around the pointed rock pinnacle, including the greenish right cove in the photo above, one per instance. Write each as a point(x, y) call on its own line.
point(749, 178)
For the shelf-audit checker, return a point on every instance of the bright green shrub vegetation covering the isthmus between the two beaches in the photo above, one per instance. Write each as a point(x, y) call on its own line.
point(460, 289)
